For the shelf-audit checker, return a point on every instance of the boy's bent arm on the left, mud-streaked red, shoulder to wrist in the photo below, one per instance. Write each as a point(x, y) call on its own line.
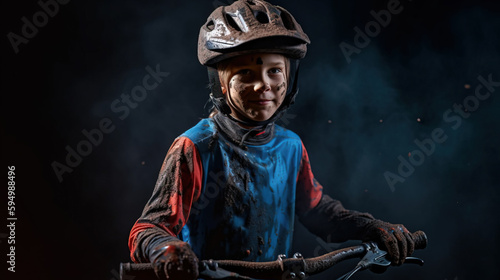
point(178, 186)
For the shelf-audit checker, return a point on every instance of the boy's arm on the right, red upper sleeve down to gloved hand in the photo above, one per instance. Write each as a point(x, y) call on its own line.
point(328, 219)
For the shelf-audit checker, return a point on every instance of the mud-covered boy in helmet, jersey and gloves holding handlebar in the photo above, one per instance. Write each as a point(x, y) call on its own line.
point(229, 187)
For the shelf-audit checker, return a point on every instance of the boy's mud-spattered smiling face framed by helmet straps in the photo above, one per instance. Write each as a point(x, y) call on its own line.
point(256, 85)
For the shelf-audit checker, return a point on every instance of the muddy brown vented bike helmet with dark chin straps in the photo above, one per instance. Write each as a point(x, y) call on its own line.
point(250, 26)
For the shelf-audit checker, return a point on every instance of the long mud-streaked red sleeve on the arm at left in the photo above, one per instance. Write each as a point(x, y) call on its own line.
point(178, 186)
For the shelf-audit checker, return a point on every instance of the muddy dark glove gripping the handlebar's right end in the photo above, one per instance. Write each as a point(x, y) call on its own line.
point(396, 239)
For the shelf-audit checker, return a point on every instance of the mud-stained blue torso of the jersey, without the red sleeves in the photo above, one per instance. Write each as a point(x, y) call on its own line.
point(246, 207)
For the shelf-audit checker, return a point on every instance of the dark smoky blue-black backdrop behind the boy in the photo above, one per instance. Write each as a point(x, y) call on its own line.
point(67, 76)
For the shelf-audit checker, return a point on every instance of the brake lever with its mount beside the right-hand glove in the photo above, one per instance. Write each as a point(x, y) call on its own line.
point(376, 260)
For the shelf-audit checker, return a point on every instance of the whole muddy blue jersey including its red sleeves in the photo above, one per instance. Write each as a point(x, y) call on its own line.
point(230, 199)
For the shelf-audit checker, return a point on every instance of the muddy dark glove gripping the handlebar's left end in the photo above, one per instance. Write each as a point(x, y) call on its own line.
point(174, 260)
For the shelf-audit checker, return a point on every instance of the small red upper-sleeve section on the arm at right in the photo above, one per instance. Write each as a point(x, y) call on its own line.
point(309, 191)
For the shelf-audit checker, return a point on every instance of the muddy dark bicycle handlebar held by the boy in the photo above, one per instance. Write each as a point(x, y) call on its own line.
point(282, 268)
